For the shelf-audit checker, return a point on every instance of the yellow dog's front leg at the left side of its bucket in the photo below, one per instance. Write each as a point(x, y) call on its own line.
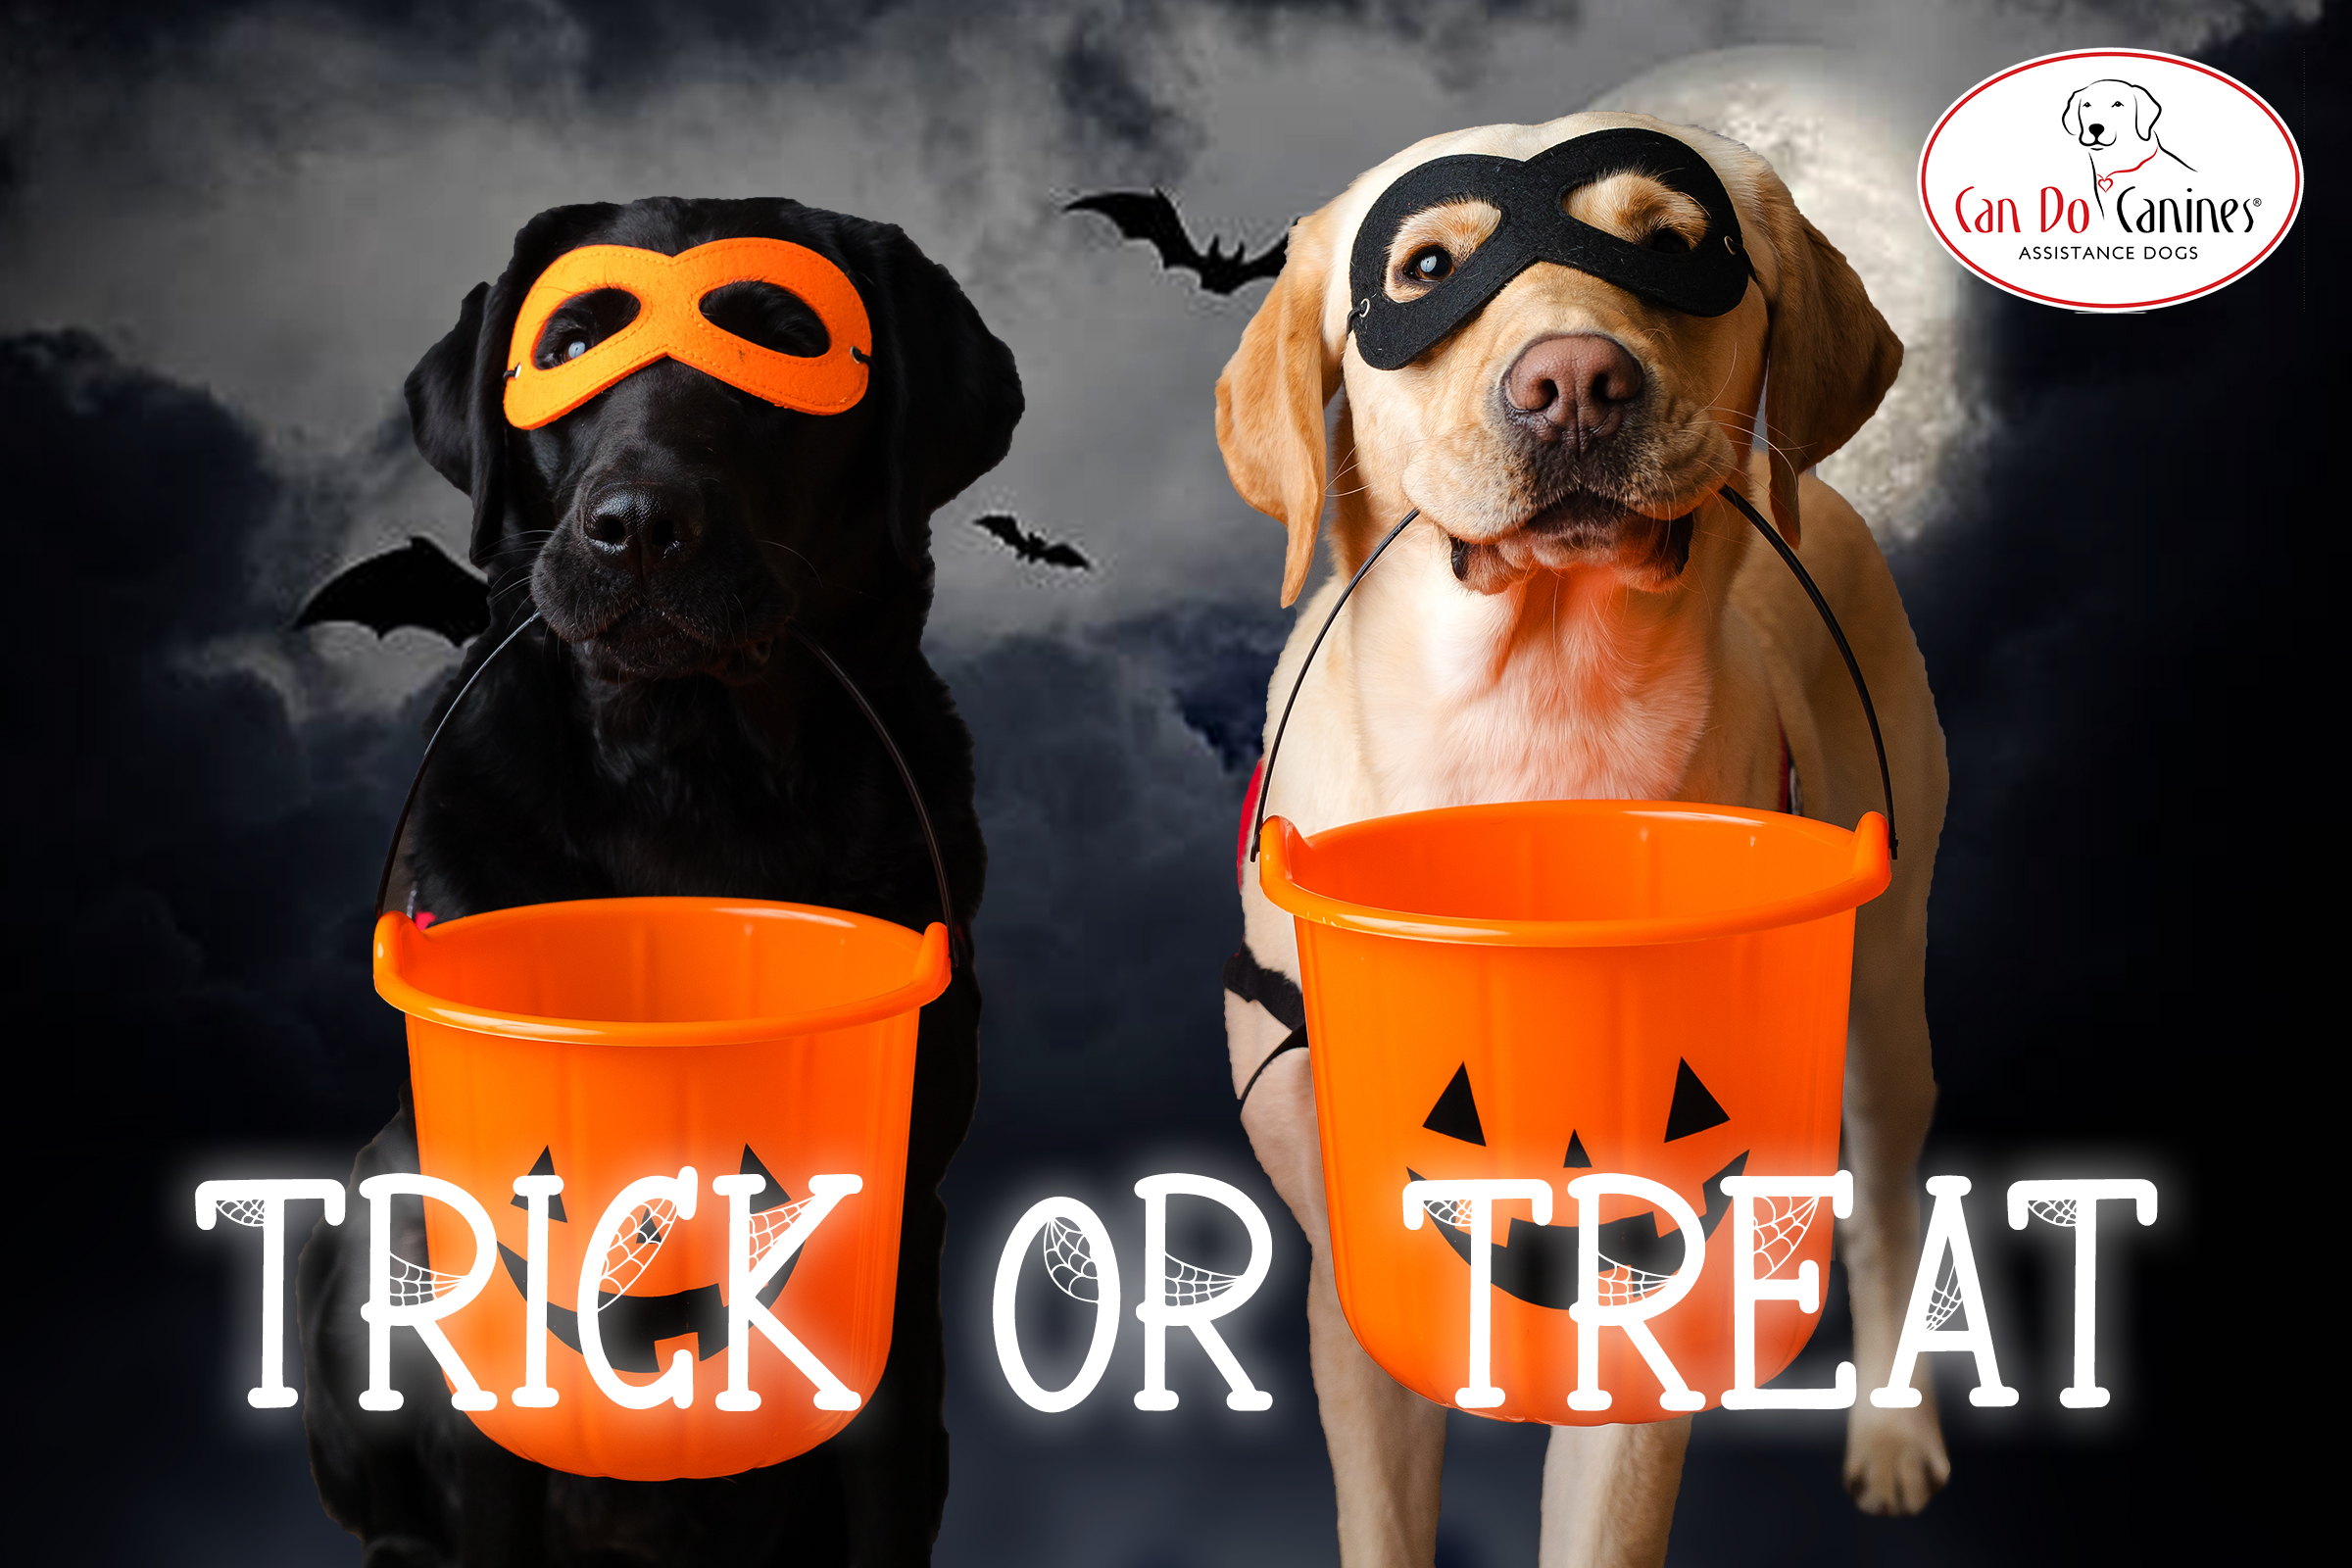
point(1387, 1442)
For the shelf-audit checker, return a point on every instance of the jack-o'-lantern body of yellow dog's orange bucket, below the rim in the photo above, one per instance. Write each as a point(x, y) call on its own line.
point(1657, 1092)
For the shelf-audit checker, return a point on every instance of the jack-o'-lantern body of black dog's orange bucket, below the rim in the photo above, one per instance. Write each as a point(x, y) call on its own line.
point(787, 1111)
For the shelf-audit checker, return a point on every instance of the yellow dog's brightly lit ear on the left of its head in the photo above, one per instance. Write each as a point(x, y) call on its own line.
point(1271, 401)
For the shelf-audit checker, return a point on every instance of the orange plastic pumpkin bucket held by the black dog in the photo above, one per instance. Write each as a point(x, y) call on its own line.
point(617, 1040)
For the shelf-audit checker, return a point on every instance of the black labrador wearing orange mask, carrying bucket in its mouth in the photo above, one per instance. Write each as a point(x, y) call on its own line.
point(664, 735)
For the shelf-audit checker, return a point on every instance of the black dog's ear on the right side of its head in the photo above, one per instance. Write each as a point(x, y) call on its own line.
point(954, 391)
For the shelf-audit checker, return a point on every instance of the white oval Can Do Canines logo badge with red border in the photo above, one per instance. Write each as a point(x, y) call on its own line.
point(2111, 180)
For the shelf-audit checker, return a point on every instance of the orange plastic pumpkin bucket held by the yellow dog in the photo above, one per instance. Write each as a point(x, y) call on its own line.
point(1549, 989)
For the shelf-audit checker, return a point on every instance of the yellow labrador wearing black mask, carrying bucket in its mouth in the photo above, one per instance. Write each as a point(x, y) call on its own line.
point(1577, 615)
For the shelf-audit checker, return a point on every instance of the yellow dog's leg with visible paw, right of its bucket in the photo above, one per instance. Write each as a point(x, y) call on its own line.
point(1895, 1459)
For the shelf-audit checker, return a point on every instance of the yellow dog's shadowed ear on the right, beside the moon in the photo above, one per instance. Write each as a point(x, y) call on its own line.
point(1831, 354)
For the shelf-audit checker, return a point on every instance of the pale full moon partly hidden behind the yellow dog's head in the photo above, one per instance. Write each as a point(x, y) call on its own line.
point(1836, 147)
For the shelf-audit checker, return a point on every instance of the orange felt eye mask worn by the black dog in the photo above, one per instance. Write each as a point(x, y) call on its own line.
point(671, 326)
